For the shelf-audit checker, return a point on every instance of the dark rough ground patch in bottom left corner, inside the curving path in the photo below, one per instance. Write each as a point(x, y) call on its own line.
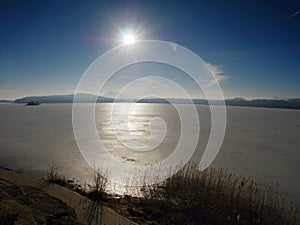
point(30, 205)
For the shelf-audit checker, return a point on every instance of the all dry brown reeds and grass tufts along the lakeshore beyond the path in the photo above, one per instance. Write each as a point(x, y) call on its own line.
point(213, 196)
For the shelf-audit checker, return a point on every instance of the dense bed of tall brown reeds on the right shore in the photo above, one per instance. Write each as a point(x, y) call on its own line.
point(223, 198)
